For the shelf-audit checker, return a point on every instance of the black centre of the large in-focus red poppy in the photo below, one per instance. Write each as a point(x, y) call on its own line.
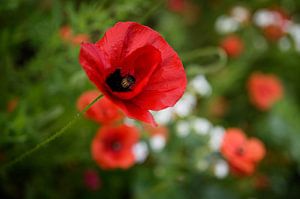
point(118, 83)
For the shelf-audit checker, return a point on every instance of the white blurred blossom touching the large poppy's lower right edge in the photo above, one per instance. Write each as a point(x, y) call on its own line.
point(185, 105)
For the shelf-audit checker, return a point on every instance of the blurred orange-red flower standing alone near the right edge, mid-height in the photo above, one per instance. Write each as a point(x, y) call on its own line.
point(264, 90)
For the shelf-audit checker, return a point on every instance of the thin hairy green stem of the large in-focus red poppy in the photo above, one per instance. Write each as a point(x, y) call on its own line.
point(51, 137)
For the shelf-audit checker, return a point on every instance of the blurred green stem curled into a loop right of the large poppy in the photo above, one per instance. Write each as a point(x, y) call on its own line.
point(207, 60)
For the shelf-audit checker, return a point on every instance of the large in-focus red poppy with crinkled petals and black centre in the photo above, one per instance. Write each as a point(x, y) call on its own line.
point(135, 68)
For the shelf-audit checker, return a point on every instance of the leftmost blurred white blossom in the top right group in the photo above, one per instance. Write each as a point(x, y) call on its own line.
point(226, 24)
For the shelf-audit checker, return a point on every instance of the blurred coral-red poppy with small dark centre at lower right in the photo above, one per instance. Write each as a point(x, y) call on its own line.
point(242, 154)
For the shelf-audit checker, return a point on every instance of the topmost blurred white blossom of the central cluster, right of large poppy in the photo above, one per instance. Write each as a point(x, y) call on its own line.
point(201, 85)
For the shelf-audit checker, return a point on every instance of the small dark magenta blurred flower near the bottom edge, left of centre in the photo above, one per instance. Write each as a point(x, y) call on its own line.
point(91, 180)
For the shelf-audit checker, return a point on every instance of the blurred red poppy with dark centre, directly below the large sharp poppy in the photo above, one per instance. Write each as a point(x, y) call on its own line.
point(113, 147)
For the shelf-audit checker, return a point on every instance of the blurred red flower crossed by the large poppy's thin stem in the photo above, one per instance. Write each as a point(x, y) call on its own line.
point(103, 111)
